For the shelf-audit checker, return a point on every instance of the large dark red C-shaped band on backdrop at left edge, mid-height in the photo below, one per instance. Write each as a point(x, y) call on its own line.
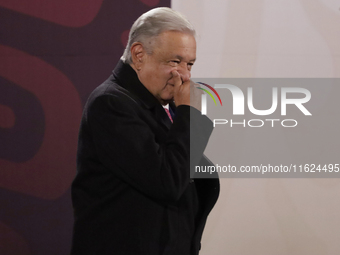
point(50, 172)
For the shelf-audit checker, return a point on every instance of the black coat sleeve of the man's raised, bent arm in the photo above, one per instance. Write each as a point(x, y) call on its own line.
point(126, 145)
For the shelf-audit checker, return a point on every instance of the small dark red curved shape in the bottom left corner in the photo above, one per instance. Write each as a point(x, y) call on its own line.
point(12, 243)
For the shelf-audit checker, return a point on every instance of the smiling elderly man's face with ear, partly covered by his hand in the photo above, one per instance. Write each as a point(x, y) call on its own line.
point(172, 51)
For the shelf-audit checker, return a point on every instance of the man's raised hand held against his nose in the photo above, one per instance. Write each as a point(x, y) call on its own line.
point(186, 93)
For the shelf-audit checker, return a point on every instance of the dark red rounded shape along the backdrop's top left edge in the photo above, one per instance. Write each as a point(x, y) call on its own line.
point(71, 13)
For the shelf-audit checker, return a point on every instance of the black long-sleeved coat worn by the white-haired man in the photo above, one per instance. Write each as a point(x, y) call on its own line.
point(133, 194)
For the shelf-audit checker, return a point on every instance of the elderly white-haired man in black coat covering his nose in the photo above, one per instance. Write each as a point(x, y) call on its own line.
point(133, 193)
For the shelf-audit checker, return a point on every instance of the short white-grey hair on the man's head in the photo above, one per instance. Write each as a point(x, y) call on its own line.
point(152, 23)
